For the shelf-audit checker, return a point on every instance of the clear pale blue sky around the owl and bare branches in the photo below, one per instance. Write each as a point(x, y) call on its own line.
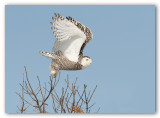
point(122, 50)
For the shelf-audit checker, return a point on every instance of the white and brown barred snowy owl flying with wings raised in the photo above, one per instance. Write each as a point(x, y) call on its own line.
point(71, 39)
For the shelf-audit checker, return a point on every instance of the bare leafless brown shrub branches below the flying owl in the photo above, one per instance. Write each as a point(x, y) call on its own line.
point(70, 99)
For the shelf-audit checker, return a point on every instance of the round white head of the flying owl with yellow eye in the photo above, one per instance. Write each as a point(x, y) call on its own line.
point(85, 62)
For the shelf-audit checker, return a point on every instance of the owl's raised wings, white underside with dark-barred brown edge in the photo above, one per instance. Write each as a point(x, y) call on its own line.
point(71, 37)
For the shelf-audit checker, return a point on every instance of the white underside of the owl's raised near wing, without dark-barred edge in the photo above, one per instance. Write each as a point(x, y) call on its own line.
point(69, 39)
